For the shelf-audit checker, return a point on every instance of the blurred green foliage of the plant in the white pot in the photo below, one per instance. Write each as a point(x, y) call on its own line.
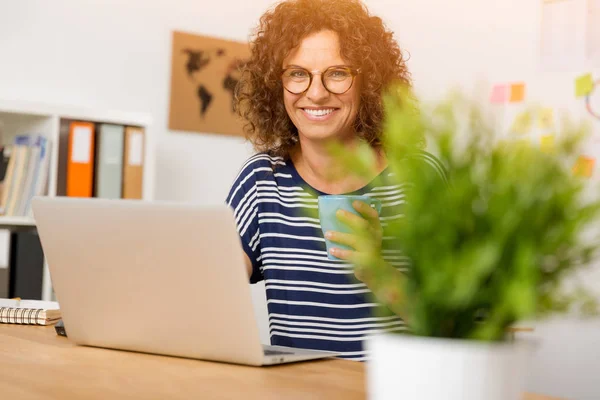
point(495, 243)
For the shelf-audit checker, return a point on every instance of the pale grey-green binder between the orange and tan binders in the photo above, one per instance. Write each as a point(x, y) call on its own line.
point(109, 161)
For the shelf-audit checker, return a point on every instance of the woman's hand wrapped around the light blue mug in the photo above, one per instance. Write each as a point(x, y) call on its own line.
point(365, 239)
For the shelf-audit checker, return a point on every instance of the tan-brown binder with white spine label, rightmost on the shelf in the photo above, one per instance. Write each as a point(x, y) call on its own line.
point(133, 168)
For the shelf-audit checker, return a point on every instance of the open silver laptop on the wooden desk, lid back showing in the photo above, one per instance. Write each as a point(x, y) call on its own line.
point(154, 277)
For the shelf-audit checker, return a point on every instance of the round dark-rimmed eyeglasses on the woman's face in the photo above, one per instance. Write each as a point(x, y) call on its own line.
point(337, 80)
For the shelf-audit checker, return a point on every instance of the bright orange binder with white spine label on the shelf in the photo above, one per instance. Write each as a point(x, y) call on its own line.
point(80, 162)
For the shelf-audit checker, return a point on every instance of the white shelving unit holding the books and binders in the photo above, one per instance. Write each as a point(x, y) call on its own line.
point(20, 117)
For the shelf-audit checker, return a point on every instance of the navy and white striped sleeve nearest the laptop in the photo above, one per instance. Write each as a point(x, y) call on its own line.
point(242, 198)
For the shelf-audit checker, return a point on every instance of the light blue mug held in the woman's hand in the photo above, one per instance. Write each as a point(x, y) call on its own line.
point(328, 206)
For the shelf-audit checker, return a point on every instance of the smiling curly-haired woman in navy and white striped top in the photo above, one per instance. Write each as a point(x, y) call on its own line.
point(315, 77)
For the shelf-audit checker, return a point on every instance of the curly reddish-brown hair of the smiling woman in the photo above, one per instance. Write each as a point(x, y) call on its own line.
point(365, 42)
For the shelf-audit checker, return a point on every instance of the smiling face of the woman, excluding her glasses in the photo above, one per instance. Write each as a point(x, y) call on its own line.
point(318, 114)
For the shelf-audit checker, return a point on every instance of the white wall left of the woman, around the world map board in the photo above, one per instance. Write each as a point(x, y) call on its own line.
point(115, 54)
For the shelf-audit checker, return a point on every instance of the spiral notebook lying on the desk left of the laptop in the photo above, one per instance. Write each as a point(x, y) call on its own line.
point(29, 312)
